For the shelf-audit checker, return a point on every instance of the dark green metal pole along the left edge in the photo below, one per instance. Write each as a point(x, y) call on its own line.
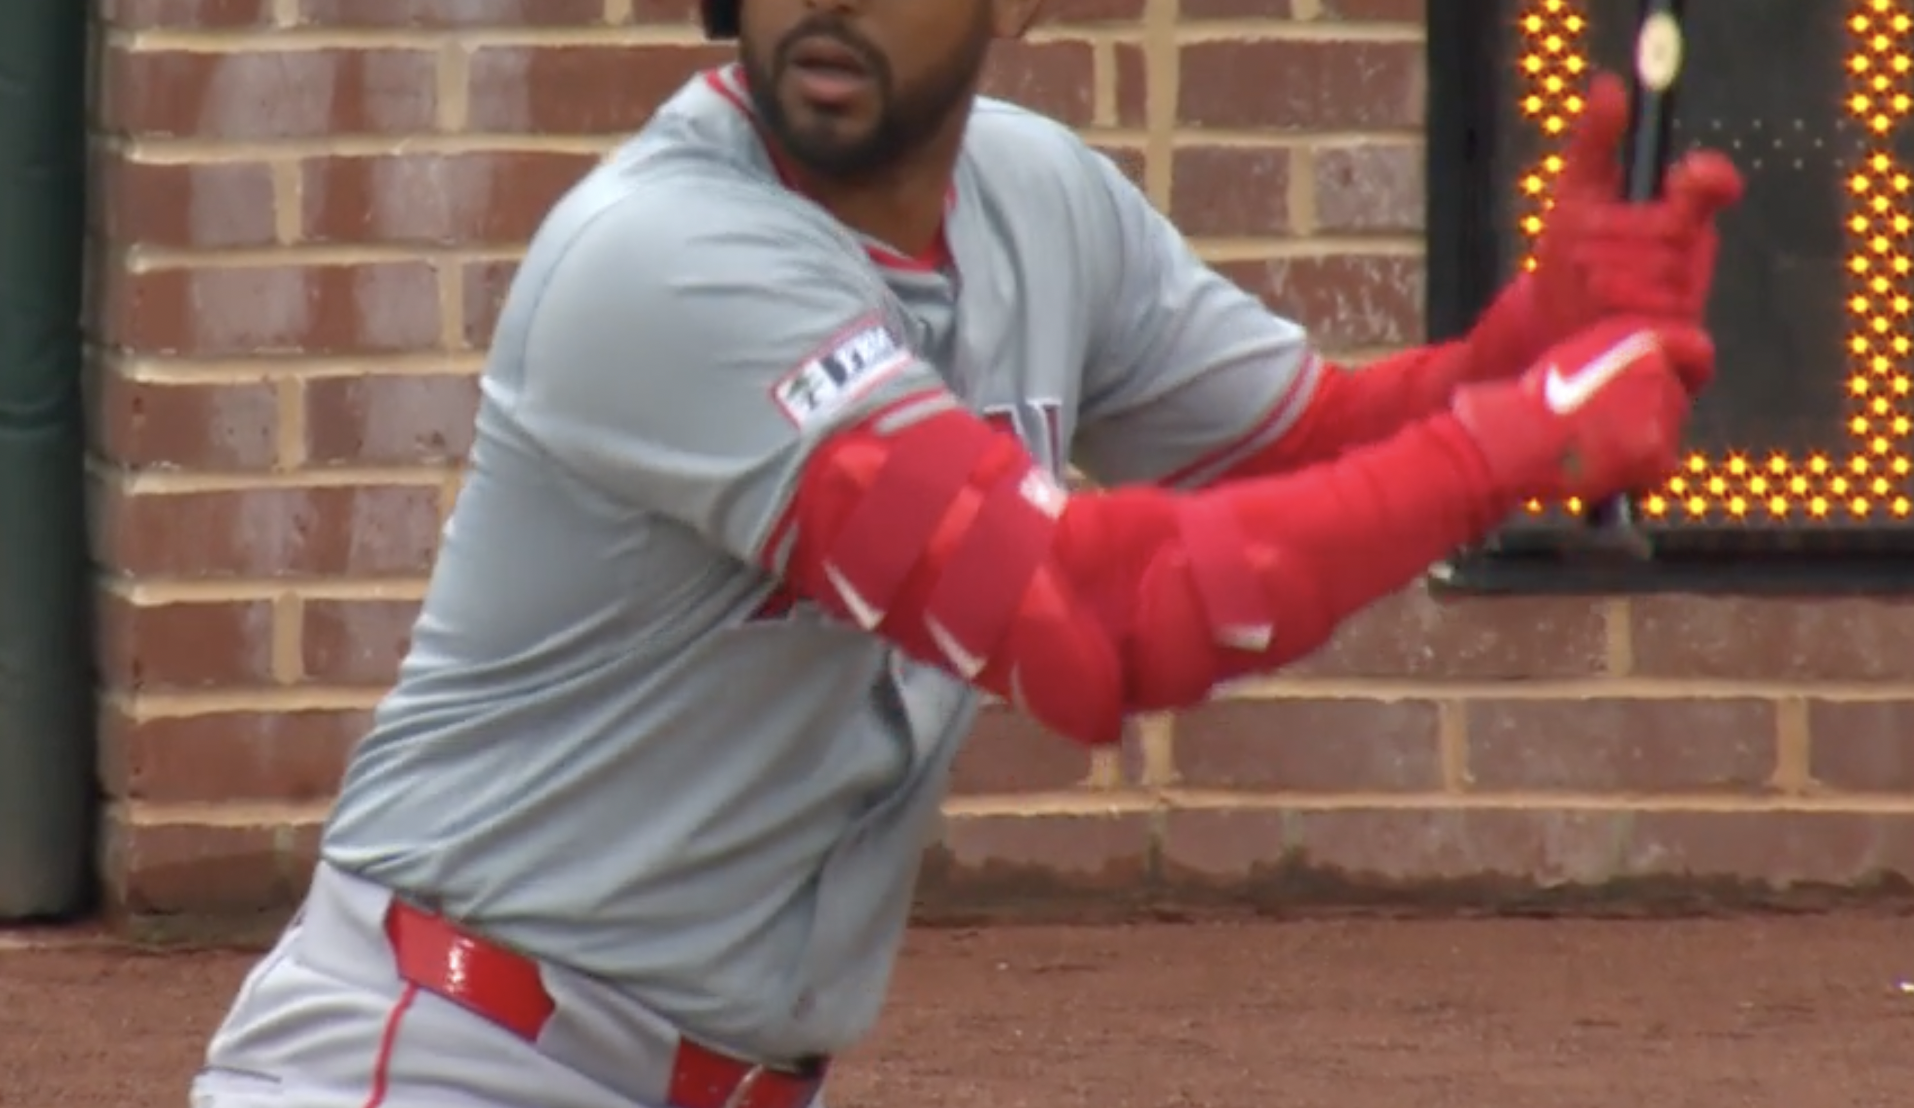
point(47, 719)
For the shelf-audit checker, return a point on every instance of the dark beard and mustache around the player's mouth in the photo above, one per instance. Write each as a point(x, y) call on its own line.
point(906, 118)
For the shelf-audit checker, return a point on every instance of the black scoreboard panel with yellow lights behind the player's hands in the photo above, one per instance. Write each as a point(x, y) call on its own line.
point(1804, 453)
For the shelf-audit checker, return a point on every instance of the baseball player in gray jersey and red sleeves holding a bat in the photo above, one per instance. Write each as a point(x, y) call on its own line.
point(768, 495)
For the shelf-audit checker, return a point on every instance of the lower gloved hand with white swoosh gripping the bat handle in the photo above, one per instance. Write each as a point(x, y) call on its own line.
point(1597, 416)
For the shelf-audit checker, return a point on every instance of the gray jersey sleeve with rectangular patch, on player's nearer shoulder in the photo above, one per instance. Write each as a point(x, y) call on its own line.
point(696, 340)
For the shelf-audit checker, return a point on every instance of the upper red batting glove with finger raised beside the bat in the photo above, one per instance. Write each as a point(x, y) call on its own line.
point(1603, 257)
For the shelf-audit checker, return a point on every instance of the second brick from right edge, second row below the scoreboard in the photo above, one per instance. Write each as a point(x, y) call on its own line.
point(1618, 745)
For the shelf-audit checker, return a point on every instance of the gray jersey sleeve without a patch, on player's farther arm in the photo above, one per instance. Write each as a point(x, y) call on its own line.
point(1188, 372)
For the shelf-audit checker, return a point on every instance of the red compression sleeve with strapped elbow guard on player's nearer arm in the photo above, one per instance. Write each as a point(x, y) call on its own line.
point(945, 537)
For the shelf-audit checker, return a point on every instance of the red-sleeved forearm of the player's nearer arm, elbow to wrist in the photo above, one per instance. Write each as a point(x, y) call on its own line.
point(1255, 575)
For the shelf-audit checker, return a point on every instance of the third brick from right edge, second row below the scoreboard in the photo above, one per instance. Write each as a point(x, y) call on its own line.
point(1299, 745)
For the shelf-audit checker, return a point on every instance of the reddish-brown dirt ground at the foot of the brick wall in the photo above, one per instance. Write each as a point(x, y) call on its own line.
point(1781, 1011)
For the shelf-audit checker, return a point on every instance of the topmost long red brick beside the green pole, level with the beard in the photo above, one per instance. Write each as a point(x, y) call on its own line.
point(269, 95)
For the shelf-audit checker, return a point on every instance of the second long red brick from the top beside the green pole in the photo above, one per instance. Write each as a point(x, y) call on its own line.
point(259, 311)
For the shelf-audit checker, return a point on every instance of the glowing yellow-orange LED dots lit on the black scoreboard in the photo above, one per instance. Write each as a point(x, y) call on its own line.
point(1867, 479)
